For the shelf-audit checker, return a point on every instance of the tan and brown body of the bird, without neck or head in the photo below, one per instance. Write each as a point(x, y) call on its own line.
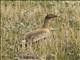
point(37, 35)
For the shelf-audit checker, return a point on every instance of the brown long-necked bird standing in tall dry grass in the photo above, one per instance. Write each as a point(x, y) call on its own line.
point(41, 33)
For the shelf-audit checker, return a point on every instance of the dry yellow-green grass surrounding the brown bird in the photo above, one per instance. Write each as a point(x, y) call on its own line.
point(20, 17)
